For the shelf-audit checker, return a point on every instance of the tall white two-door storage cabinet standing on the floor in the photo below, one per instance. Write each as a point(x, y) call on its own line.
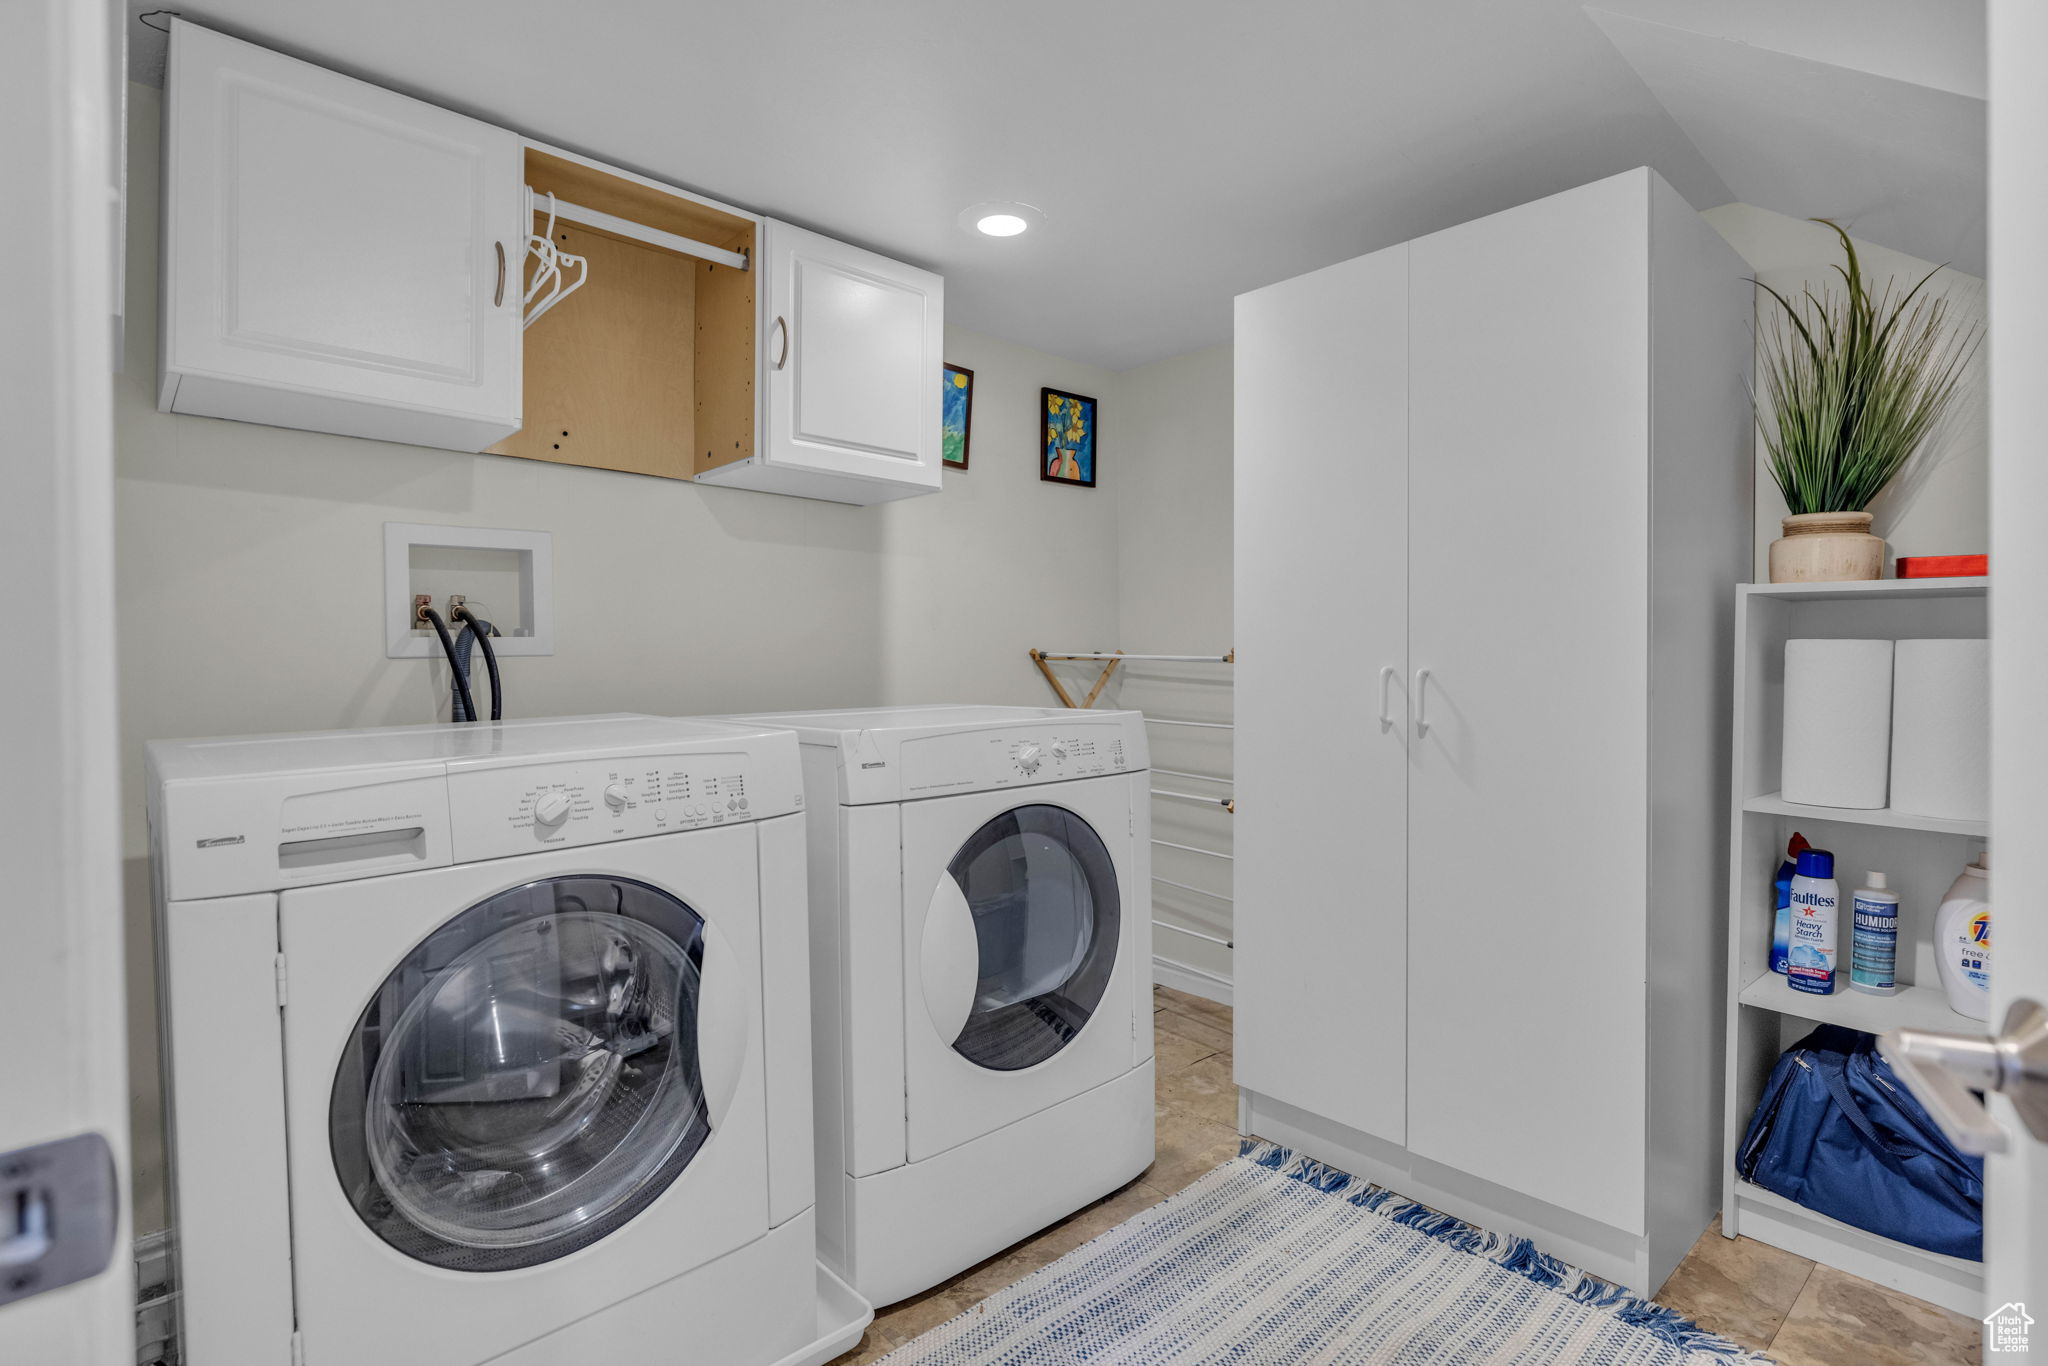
point(1492, 488)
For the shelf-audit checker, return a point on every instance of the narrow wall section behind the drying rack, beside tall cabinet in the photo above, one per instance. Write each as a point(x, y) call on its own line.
point(1172, 443)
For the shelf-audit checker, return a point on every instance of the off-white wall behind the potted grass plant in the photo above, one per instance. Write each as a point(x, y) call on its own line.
point(1943, 503)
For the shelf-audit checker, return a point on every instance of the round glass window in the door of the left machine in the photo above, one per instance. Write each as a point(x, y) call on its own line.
point(527, 1080)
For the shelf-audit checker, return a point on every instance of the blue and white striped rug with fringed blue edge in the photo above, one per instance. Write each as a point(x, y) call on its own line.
point(1277, 1261)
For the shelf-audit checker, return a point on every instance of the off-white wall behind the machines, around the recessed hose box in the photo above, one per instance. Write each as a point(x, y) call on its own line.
point(251, 583)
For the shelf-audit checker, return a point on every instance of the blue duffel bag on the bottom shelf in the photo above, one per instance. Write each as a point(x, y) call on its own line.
point(1840, 1134)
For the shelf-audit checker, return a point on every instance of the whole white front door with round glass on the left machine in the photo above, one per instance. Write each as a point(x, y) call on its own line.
point(536, 1072)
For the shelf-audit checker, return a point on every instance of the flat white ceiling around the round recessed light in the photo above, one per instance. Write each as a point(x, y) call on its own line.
point(1181, 151)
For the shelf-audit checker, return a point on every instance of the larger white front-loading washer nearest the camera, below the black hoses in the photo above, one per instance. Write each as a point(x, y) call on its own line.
point(490, 1043)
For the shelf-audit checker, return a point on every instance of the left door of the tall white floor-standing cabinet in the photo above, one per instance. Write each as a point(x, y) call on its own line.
point(1322, 648)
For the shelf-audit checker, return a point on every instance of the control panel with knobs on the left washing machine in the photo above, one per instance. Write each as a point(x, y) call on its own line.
point(501, 812)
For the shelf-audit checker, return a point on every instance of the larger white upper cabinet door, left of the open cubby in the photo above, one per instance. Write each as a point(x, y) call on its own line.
point(337, 259)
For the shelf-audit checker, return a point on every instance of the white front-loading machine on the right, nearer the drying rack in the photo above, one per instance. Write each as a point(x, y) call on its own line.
point(982, 978)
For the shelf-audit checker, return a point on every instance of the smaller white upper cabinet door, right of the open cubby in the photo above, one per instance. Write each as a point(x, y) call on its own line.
point(853, 359)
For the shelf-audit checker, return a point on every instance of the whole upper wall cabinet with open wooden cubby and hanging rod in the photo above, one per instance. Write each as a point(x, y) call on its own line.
point(345, 259)
